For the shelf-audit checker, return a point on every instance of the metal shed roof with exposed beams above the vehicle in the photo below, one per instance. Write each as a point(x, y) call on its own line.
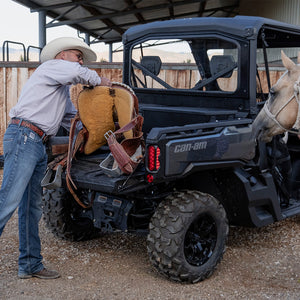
point(107, 20)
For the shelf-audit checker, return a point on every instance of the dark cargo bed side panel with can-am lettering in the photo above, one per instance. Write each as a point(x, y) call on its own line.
point(195, 147)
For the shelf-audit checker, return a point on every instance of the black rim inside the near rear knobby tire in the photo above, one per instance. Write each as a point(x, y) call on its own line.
point(200, 240)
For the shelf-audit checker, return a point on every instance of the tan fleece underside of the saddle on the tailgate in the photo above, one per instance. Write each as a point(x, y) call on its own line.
point(100, 107)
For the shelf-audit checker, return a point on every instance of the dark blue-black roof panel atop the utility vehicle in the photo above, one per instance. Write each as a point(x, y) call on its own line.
point(242, 26)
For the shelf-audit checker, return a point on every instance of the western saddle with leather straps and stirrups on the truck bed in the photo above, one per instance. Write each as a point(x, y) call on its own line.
point(109, 115)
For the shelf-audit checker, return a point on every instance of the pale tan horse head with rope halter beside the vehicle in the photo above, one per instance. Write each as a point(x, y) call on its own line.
point(280, 111)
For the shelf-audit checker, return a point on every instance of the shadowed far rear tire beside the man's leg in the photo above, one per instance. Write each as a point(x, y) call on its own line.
point(62, 216)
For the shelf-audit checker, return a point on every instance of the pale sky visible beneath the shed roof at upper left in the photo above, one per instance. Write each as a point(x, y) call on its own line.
point(18, 24)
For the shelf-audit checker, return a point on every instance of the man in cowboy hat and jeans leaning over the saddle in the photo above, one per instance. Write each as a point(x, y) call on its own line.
point(38, 114)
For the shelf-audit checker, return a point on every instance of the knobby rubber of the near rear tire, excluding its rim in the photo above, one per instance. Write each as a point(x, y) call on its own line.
point(167, 232)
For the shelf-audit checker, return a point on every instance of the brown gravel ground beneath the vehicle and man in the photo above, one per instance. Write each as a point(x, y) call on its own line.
point(258, 264)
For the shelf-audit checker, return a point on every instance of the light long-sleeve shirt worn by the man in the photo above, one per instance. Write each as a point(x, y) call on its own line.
point(45, 99)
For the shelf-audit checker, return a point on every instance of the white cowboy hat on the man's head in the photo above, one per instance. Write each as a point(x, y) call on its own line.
point(67, 43)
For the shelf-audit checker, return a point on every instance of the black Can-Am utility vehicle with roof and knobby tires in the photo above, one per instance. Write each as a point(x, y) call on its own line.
point(202, 171)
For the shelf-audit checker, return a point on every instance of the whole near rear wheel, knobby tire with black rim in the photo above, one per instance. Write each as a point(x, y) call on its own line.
point(187, 236)
